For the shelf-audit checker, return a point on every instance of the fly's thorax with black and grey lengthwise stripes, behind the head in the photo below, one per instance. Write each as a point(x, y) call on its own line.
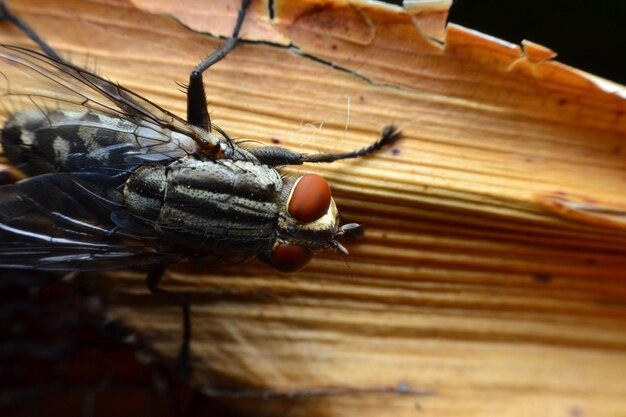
point(212, 206)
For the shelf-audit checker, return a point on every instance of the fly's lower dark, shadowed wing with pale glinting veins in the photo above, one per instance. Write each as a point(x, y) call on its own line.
point(53, 222)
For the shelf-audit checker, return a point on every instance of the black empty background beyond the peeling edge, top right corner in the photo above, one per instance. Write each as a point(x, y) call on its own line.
point(589, 35)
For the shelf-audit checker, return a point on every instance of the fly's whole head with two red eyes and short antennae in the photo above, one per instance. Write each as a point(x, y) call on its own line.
point(308, 223)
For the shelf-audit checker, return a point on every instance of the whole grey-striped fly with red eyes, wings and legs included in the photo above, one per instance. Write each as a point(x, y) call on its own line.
point(112, 180)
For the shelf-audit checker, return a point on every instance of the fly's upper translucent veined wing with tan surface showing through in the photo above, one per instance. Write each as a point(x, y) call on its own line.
point(30, 80)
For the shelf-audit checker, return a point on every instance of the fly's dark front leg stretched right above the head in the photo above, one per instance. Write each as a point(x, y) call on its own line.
point(277, 156)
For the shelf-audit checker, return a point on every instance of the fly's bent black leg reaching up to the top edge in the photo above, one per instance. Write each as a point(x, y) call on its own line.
point(197, 112)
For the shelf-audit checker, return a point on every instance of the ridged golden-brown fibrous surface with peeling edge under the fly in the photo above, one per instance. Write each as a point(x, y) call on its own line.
point(491, 276)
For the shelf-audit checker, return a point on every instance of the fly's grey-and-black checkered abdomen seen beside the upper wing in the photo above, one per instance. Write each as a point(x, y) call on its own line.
point(75, 141)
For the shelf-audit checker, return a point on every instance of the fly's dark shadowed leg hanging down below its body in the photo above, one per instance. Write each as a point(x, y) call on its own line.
point(152, 282)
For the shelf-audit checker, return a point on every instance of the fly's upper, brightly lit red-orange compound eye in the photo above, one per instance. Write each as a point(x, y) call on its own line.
point(310, 198)
